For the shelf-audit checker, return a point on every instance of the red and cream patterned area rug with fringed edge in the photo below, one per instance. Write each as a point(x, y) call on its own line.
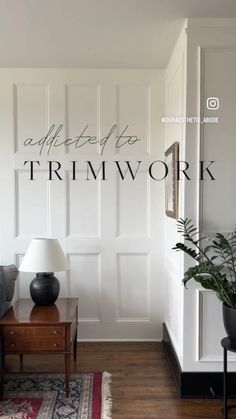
point(42, 396)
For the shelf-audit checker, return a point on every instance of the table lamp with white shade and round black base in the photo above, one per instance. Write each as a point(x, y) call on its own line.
point(44, 256)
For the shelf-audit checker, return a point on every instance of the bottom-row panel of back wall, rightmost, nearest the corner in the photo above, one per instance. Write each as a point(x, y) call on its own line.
point(133, 287)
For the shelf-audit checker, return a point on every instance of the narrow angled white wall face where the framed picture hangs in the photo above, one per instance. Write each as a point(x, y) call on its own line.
point(175, 87)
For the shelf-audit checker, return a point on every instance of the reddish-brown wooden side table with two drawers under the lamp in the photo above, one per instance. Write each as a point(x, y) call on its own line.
point(29, 329)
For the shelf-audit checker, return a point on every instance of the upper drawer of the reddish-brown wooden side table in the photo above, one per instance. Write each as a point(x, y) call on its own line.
point(34, 332)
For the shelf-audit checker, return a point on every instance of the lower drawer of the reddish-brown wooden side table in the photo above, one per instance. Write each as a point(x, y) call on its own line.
point(18, 345)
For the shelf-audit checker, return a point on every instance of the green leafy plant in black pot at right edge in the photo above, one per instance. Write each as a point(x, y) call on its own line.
point(215, 269)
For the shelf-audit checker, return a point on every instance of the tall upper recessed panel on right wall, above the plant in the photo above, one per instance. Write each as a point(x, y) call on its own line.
point(213, 136)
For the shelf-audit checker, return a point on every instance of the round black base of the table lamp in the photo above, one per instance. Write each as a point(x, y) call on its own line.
point(44, 289)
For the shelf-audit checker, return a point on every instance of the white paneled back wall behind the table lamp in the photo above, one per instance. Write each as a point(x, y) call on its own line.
point(110, 229)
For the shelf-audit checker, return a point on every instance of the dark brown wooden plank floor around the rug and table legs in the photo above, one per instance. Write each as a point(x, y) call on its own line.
point(142, 387)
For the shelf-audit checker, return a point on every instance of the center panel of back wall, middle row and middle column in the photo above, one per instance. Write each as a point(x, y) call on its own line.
point(83, 206)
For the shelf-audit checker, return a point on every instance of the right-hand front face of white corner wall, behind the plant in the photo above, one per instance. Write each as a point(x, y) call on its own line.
point(211, 63)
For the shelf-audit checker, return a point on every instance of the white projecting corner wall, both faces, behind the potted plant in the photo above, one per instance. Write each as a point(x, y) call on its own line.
point(194, 315)
